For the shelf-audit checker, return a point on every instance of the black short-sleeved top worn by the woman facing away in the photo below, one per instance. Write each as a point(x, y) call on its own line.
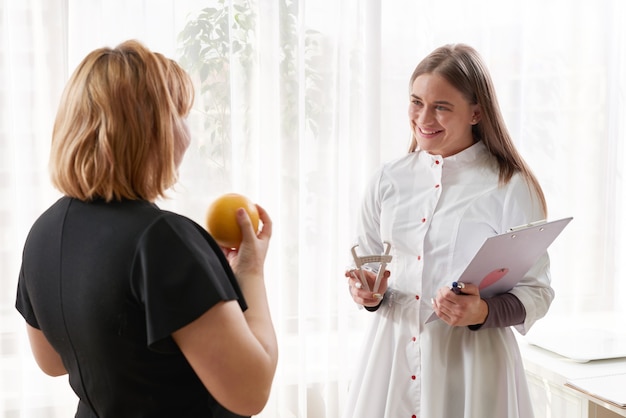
point(108, 283)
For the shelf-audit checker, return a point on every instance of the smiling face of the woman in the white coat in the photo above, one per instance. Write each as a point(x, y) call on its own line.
point(441, 117)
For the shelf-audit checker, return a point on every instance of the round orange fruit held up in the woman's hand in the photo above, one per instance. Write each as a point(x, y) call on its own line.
point(221, 219)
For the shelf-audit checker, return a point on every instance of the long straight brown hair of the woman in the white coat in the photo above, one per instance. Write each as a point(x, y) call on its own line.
point(463, 68)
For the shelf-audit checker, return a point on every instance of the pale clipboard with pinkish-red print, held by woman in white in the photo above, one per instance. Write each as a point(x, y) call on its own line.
point(503, 260)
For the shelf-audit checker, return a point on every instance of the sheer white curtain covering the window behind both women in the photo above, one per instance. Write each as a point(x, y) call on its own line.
point(311, 96)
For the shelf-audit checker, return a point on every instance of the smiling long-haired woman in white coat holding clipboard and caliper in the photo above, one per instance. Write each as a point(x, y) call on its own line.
point(461, 182)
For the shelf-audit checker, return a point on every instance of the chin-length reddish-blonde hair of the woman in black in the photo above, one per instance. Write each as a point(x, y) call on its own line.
point(120, 124)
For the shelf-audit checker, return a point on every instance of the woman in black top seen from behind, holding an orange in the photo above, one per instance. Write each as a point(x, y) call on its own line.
point(140, 306)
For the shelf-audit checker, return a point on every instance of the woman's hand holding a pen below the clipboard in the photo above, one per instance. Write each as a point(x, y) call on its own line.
point(463, 309)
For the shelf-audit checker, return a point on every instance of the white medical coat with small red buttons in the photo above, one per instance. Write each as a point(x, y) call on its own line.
point(436, 213)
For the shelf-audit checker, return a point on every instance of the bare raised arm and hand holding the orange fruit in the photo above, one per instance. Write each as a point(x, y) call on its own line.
point(235, 353)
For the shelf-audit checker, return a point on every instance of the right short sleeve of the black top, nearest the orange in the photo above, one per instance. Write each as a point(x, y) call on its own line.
point(179, 273)
